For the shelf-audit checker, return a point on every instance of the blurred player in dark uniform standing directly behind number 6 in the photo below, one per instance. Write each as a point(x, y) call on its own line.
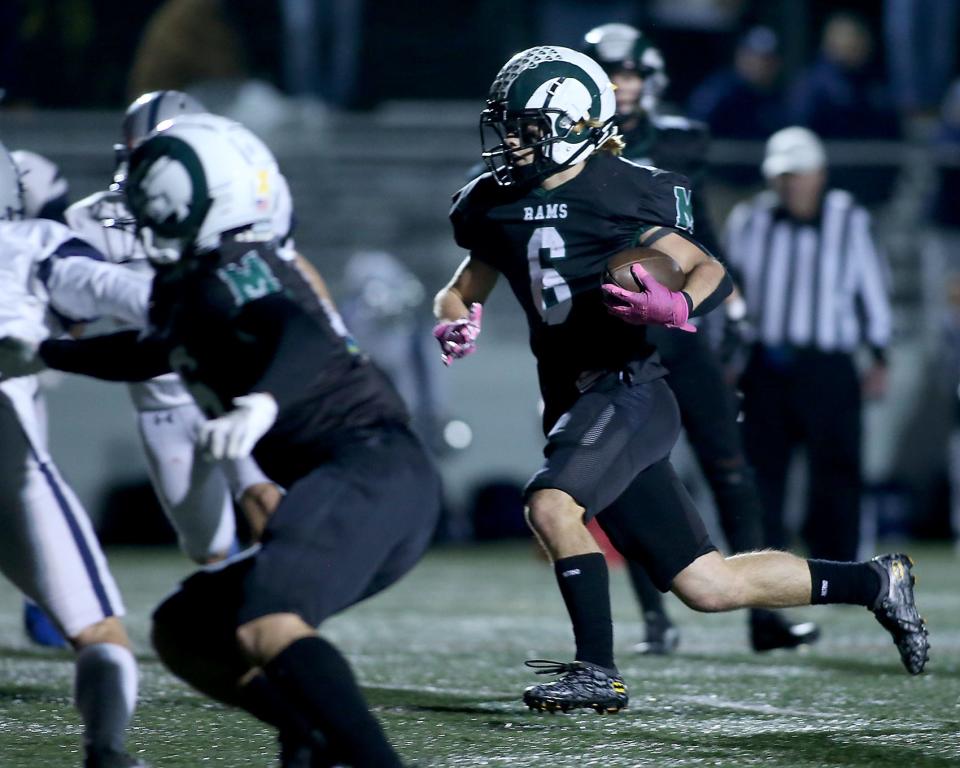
point(707, 405)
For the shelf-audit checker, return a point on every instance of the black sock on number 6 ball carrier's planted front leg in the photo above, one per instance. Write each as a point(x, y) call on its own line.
point(585, 586)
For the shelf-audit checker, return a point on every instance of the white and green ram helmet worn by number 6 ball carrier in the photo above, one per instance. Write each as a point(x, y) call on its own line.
point(557, 102)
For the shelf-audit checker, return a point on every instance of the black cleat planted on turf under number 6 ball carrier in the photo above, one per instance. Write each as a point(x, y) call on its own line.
point(582, 686)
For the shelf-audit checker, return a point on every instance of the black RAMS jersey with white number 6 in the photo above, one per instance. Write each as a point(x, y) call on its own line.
point(552, 246)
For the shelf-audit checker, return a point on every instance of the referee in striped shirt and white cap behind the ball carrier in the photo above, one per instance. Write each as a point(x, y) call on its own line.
point(816, 290)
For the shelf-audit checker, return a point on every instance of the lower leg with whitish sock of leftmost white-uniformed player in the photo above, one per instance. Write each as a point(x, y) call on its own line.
point(106, 692)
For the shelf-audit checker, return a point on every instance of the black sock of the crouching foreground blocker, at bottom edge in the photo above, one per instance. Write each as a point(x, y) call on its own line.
point(317, 680)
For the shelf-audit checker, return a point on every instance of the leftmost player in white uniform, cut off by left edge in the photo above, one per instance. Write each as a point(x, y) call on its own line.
point(50, 283)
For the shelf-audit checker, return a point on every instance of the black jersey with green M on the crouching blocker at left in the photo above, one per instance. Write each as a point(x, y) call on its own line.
point(243, 319)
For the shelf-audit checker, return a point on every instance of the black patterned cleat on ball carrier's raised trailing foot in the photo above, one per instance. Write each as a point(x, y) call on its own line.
point(896, 610)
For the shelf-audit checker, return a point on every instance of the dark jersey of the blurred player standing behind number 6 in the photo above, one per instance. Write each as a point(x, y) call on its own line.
point(679, 145)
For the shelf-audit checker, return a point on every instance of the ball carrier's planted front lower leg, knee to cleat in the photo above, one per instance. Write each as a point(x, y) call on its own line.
point(581, 571)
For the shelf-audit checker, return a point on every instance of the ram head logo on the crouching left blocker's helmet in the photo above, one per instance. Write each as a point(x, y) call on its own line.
point(167, 188)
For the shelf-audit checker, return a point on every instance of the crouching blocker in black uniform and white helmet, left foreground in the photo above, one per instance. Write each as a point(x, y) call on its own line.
point(275, 372)
